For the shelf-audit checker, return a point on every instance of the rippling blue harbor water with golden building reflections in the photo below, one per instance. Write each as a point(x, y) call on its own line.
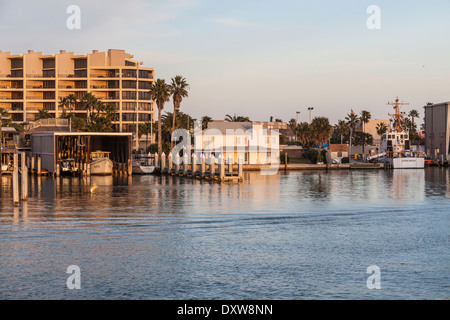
point(306, 234)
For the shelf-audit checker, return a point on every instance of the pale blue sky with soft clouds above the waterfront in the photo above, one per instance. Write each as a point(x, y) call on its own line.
point(259, 58)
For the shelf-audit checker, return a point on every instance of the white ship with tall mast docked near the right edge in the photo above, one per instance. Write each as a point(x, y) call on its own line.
point(396, 148)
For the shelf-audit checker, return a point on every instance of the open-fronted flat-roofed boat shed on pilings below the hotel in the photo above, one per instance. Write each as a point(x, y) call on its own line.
point(53, 147)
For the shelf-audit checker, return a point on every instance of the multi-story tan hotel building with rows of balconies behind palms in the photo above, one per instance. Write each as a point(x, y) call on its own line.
point(33, 81)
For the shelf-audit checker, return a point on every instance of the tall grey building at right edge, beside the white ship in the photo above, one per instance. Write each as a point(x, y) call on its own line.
point(437, 130)
